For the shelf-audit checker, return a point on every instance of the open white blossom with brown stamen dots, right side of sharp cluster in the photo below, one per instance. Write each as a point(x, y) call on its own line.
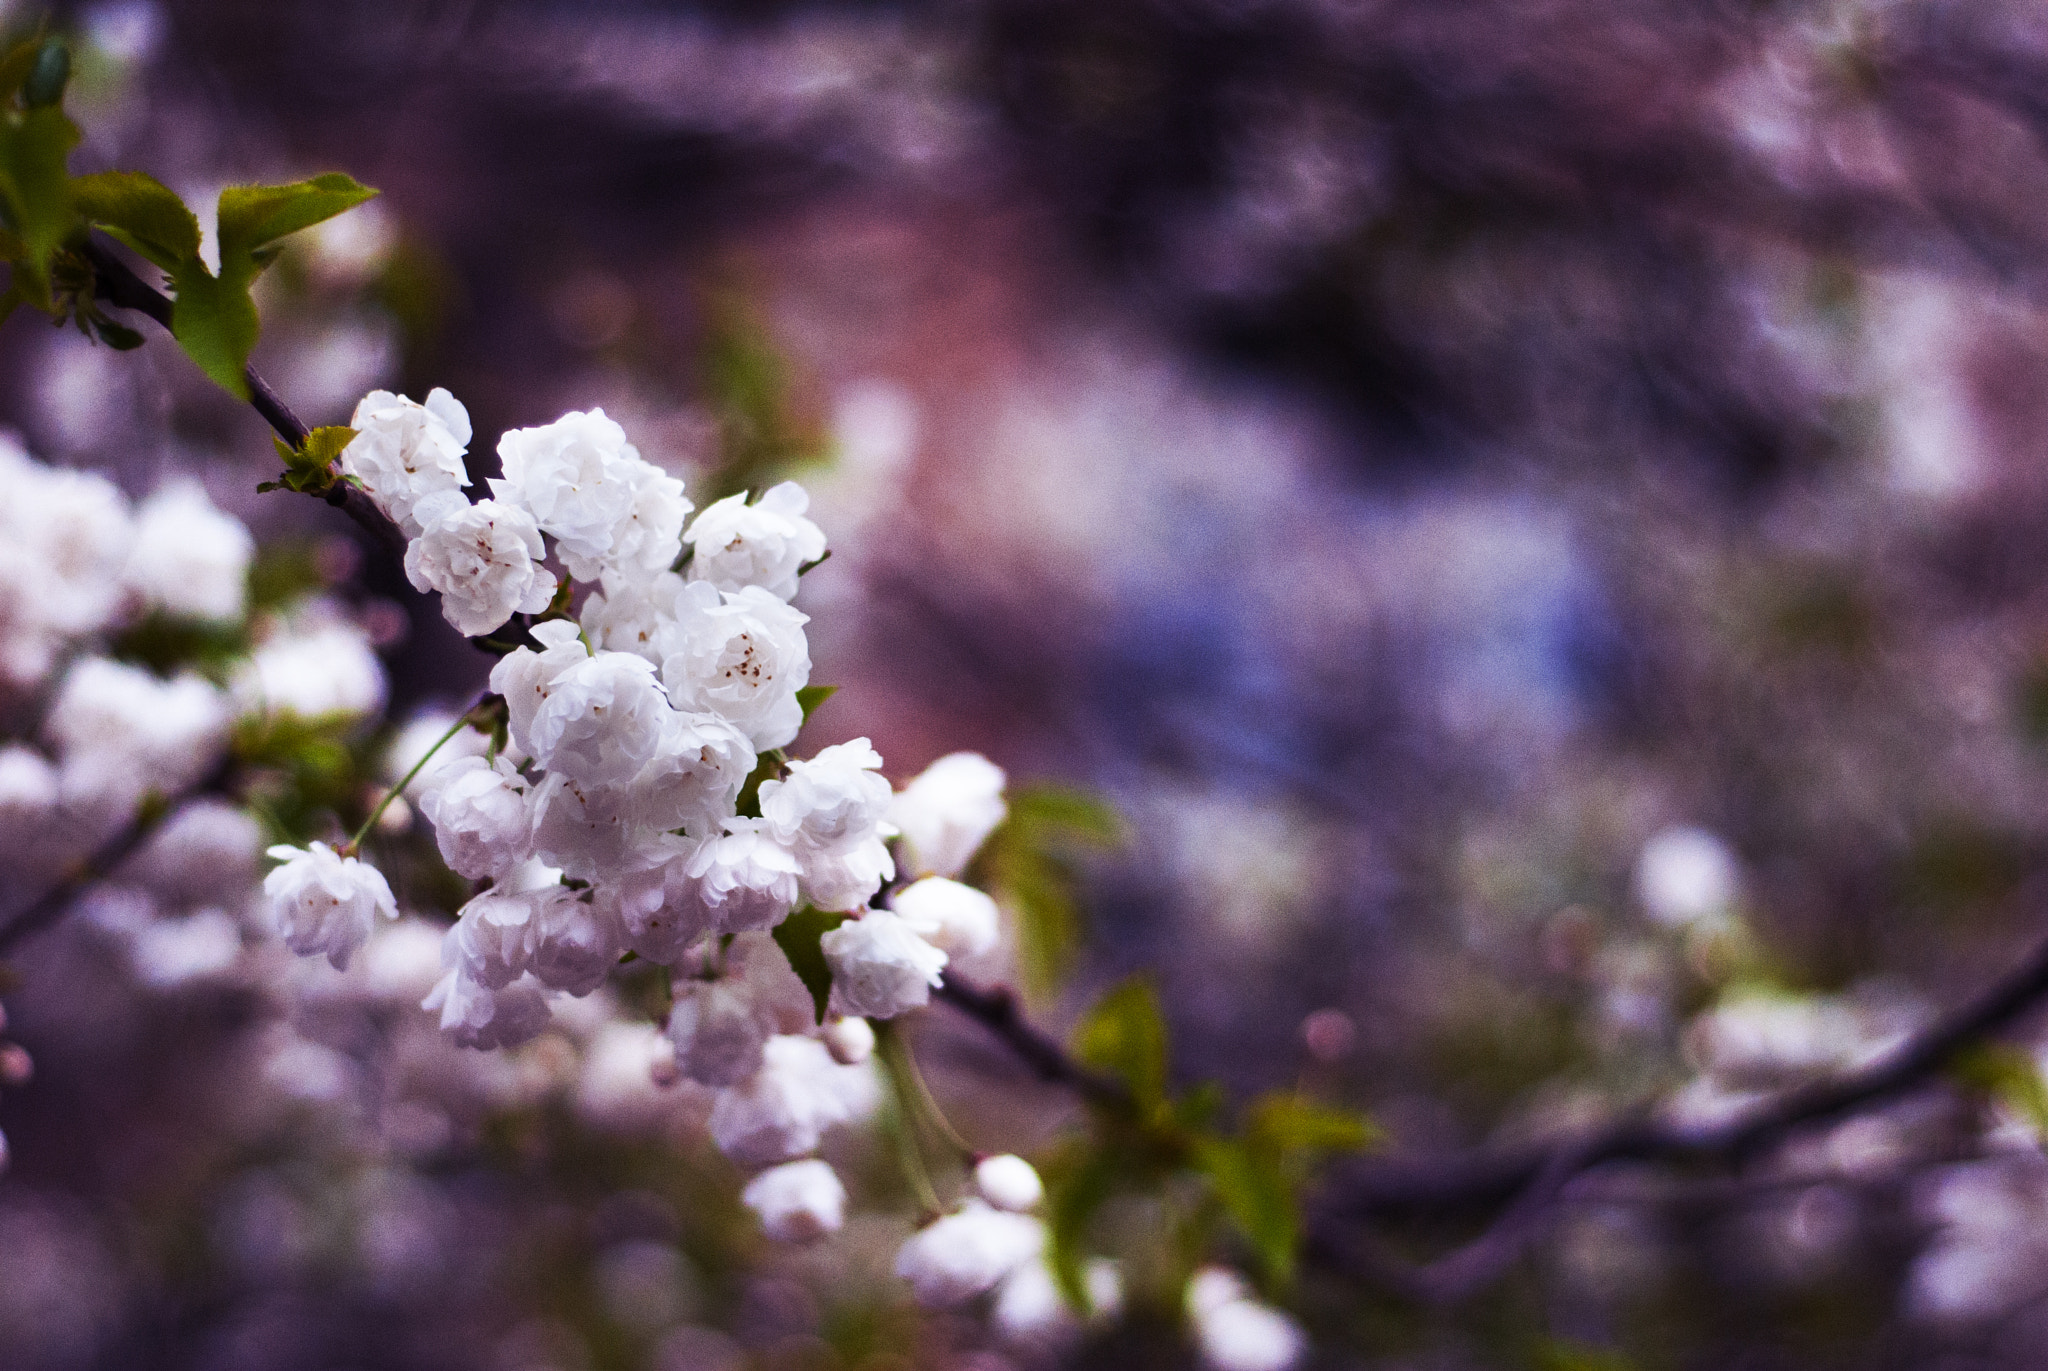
point(742, 657)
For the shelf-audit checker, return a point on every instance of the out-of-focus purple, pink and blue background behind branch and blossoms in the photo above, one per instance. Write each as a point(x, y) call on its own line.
point(1533, 513)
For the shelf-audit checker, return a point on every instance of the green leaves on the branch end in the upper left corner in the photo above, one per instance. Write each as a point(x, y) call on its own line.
point(46, 216)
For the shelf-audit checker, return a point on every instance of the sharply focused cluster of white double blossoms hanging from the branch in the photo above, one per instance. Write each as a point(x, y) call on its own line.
point(620, 817)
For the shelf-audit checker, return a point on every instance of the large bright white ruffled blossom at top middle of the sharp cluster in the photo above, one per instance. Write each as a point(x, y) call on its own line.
point(579, 479)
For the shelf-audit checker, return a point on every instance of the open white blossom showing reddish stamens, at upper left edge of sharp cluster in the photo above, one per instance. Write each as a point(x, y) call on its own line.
point(484, 560)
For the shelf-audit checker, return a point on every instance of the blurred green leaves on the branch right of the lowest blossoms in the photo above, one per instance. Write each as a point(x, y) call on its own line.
point(1248, 1173)
